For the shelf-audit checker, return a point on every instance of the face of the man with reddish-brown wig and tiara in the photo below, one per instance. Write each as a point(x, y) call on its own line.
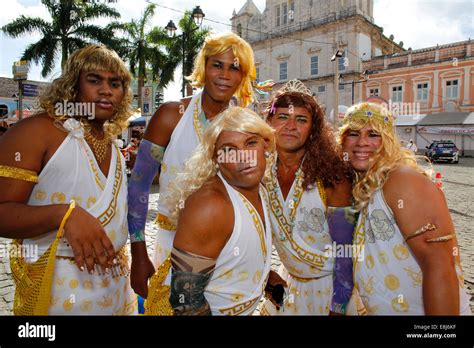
point(293, 127)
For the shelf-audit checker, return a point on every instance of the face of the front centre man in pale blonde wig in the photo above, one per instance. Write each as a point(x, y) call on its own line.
point(241, 158)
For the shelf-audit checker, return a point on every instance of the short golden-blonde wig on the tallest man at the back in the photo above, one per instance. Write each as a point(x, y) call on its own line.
point(221, 43)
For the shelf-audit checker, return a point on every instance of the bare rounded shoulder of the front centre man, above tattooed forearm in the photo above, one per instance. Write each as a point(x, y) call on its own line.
point(206, 221)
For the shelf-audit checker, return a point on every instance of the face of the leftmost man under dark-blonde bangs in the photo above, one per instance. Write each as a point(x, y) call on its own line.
point(104, 89)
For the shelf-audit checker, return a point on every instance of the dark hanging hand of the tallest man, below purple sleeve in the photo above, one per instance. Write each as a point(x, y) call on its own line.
point(142, 269)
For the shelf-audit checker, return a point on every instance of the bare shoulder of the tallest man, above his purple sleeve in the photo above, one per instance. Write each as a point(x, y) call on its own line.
point(164, 121)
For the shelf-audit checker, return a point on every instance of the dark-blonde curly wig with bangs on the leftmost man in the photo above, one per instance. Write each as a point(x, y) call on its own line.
point(65, 88)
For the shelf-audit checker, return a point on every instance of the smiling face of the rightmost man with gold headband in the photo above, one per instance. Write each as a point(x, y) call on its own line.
point(360, 146)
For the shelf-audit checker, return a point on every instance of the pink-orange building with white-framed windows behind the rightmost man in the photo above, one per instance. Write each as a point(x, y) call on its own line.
point(430, 91)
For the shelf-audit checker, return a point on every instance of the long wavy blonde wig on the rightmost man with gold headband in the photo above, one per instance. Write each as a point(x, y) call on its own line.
point(388, 157)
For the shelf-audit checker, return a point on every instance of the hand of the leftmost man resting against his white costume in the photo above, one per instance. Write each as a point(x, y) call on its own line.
point(88, 241)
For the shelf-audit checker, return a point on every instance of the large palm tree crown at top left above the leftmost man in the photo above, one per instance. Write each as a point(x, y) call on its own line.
point(67, 32)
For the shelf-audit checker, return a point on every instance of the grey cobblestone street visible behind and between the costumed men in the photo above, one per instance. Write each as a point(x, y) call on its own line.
point(458, 185)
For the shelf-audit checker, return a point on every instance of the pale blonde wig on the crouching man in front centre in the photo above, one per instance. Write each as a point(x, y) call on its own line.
point(202, 165)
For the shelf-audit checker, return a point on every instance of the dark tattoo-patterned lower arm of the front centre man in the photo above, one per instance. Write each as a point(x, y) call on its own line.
point(190, 277)
